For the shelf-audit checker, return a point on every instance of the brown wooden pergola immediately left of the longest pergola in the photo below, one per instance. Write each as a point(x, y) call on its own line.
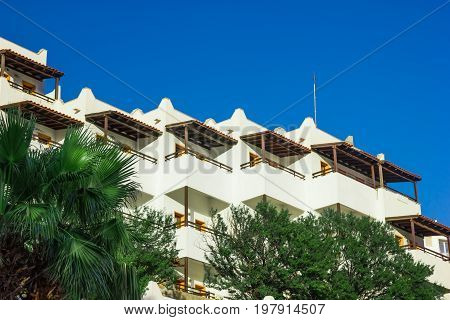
point(276, 144)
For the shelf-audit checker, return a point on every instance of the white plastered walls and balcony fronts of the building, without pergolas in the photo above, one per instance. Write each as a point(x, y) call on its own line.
point(210, 187)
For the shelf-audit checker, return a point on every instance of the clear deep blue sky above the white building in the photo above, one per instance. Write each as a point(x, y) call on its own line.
point(211, 57)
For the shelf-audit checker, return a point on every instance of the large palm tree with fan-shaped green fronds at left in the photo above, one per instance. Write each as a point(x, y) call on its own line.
point(62, 231)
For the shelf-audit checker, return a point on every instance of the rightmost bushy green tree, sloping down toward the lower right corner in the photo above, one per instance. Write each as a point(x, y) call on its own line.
point(369, 264)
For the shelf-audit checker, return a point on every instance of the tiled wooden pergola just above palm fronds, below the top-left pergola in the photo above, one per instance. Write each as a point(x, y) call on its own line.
point(43, 115)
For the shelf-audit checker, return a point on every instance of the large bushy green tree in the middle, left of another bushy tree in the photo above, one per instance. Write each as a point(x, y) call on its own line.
point(261, 253)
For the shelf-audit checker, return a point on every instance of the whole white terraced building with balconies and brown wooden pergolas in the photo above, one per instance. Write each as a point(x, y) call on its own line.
point(189, 168)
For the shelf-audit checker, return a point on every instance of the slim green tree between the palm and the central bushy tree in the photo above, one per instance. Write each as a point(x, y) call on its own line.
point(153, 252)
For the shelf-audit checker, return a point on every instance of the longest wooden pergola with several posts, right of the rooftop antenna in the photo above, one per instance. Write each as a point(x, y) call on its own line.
point(380, 171)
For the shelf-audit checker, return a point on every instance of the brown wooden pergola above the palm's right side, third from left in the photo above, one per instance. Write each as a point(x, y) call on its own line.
point(122, 124)
